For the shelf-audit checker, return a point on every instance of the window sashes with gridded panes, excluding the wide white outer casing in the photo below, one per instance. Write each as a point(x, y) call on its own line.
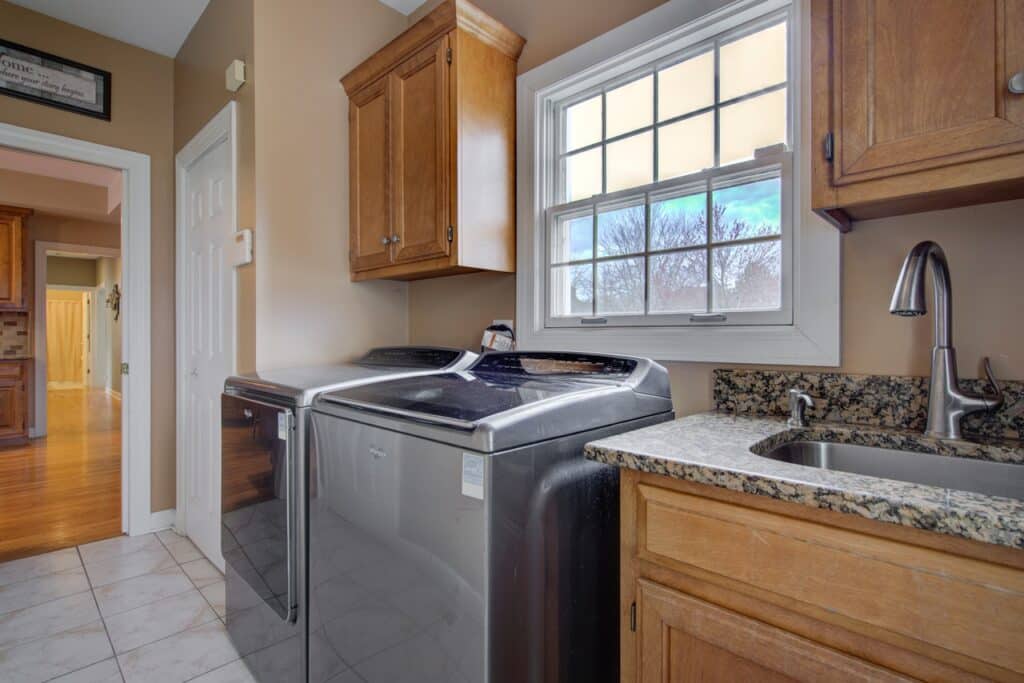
point(670, 185)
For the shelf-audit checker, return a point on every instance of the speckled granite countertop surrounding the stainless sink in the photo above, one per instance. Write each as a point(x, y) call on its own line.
point(716, 448)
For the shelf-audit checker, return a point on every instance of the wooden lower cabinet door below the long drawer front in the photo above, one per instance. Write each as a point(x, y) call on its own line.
point(681, 639)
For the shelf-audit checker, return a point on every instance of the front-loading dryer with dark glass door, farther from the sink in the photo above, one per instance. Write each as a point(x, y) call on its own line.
point(265, 451)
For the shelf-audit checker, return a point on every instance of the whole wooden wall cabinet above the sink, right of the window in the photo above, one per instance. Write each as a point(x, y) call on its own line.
point(912, 106)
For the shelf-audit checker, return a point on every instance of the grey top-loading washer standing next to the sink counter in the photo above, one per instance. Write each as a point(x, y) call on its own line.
point(456, 532)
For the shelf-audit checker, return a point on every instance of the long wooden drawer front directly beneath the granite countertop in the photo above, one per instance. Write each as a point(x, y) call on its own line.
point(967, 607)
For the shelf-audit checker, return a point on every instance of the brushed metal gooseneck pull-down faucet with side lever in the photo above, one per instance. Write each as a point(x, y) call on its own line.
point(948, 404)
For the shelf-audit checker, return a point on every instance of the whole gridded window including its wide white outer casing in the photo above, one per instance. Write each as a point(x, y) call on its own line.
point(660, 200)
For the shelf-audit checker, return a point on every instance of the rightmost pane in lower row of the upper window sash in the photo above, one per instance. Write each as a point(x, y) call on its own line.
point(755, 123)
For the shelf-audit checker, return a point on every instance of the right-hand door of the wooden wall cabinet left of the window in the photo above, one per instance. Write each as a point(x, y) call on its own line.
point(420, 121)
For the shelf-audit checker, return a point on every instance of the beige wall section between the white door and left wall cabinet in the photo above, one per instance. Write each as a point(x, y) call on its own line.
point(308, 311)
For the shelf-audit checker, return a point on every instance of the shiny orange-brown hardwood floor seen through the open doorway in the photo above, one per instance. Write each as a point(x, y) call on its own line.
point(64, 490)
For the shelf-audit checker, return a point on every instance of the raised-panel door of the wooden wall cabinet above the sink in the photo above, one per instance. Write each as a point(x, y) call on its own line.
point(923, 84)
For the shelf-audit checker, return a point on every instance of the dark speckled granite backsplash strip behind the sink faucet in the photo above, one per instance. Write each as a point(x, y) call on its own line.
point(879, 401)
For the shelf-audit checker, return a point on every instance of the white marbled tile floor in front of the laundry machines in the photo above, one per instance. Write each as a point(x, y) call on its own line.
point(146, 609)
